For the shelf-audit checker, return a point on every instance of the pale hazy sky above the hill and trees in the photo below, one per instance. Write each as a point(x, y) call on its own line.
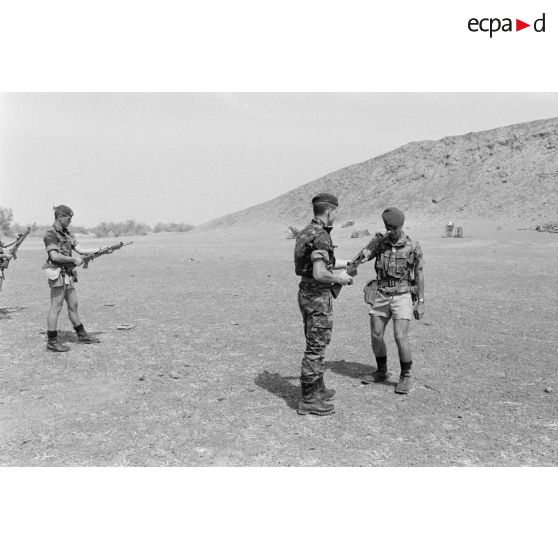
point(192, 157)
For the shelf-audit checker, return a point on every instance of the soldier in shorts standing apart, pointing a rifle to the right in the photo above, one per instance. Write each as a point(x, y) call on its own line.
point(59, 244)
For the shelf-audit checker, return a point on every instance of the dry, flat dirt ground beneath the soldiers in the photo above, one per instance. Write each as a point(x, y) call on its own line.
point(209, 373)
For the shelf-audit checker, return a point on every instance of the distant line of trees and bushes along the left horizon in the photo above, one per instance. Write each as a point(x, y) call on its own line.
point(126, 228)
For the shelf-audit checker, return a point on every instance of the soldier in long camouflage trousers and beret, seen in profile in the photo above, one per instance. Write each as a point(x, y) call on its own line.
point(315, 264)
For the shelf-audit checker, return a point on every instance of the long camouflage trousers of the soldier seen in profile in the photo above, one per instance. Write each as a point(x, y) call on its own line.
point(316, 306)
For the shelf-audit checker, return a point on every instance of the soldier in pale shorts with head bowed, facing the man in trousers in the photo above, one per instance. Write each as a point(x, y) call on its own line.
point(399, 266)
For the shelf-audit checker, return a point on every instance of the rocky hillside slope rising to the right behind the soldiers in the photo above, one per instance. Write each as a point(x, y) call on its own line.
point(508, 172)
